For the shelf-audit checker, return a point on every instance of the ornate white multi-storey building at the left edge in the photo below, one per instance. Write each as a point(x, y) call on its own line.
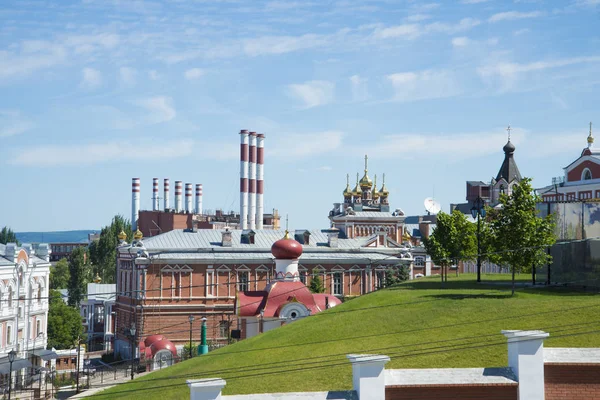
point(24, 282)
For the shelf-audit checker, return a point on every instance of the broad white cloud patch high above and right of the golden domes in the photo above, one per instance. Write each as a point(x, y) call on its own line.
point(420, 85)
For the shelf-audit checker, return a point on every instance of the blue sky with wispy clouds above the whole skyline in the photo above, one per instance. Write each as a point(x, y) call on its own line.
point(96, 92)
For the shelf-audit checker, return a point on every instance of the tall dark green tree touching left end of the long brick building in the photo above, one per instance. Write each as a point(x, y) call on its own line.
point(103, 252)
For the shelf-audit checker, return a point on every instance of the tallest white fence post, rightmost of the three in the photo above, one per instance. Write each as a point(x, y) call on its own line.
point(526, 359)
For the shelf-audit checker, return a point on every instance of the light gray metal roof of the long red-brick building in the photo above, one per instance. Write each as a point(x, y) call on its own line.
point(211, 238)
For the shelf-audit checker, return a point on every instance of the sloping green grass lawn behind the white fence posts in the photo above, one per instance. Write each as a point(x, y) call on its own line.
point(417, 323)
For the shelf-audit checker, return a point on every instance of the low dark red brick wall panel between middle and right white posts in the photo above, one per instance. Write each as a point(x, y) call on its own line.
point(451, 392)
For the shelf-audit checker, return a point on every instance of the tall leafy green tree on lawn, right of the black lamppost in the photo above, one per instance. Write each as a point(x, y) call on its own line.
point(521, 237)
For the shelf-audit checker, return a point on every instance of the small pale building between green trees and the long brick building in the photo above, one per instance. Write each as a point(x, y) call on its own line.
point(98, 318)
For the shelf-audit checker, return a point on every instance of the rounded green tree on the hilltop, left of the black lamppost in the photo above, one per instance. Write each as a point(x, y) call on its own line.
point(454, 239)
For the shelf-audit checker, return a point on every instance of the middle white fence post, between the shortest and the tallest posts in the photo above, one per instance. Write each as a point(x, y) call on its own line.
point(368, 377)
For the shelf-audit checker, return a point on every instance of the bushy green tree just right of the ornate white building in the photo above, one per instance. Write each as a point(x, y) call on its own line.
point(64, 323)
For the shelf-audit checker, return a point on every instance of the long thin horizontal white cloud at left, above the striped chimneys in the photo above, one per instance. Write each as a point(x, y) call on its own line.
point(95, 153)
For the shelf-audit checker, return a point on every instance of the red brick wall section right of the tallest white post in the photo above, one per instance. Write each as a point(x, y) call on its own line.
point(572, 381)
